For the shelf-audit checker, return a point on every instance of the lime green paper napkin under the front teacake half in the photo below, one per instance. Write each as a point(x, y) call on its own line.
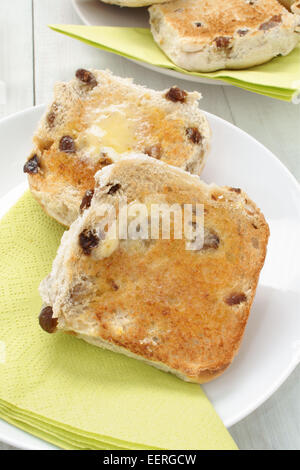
point(70, 393)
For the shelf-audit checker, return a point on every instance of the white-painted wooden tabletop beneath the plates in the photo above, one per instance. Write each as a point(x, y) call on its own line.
point(32, 58)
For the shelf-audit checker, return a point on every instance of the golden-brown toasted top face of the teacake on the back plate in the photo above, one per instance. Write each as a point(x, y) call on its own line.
point(205, 20)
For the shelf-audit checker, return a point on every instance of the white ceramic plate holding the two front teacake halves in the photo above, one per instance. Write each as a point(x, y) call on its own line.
point(271, 346)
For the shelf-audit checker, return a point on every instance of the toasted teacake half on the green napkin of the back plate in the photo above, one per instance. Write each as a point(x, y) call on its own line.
point(213, 34)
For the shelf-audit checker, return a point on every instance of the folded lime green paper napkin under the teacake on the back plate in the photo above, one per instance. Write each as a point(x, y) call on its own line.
point(279, 78)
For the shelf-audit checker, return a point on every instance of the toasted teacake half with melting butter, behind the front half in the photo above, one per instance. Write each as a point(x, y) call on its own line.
point(113, 113)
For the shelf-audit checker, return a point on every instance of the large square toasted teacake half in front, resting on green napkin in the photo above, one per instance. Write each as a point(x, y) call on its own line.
point(182, 311)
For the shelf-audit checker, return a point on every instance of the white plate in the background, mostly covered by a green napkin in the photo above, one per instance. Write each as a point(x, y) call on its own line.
point(96, 13)
